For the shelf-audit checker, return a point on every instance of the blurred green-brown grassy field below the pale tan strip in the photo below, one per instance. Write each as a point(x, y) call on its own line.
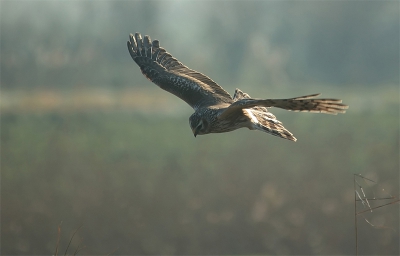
point(141, 182)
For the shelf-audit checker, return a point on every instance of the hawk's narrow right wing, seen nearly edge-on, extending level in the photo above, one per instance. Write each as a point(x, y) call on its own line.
point(299, 104)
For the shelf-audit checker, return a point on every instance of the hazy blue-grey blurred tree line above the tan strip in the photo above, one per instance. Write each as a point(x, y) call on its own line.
point(65, 43)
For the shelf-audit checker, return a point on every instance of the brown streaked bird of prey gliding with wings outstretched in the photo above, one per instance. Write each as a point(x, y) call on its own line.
point(215, 111)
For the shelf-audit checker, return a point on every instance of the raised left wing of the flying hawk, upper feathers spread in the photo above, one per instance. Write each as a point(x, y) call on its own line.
point(169, 74)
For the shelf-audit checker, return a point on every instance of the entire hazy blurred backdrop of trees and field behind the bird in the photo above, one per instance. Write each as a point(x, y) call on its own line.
point(87, 140)
